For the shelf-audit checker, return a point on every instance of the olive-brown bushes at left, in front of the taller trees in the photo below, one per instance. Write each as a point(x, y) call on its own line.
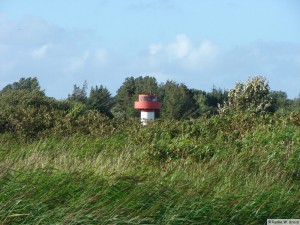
point(29, 114)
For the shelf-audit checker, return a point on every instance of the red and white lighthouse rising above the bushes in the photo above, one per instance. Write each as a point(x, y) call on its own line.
point(147, 104)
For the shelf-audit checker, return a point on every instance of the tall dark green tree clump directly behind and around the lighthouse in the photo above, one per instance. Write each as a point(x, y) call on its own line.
point(178, 101)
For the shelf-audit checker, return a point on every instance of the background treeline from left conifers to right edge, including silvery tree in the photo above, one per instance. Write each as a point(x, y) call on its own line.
point(179, 101)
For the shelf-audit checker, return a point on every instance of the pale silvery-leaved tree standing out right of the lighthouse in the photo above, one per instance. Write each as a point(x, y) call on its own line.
point(253, 96)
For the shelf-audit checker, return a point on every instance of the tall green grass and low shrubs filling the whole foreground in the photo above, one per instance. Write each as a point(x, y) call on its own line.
point(233, 170)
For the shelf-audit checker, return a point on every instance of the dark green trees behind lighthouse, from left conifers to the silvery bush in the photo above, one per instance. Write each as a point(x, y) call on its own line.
point(179, 102)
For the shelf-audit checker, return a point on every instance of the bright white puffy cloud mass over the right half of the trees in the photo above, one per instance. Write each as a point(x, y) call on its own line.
point(204, 64)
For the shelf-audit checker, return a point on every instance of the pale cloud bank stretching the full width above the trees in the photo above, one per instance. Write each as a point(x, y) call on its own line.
point(61, 58)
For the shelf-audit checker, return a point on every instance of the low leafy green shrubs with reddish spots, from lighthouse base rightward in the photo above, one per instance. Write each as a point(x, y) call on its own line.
point(202, 139)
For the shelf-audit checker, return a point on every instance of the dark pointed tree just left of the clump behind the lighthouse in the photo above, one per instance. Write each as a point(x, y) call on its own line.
point(100, 99)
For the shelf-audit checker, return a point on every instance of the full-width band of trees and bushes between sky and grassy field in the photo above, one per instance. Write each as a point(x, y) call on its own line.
point(26, 111)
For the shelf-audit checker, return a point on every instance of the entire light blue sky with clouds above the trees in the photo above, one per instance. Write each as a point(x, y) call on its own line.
point(201, 43)
